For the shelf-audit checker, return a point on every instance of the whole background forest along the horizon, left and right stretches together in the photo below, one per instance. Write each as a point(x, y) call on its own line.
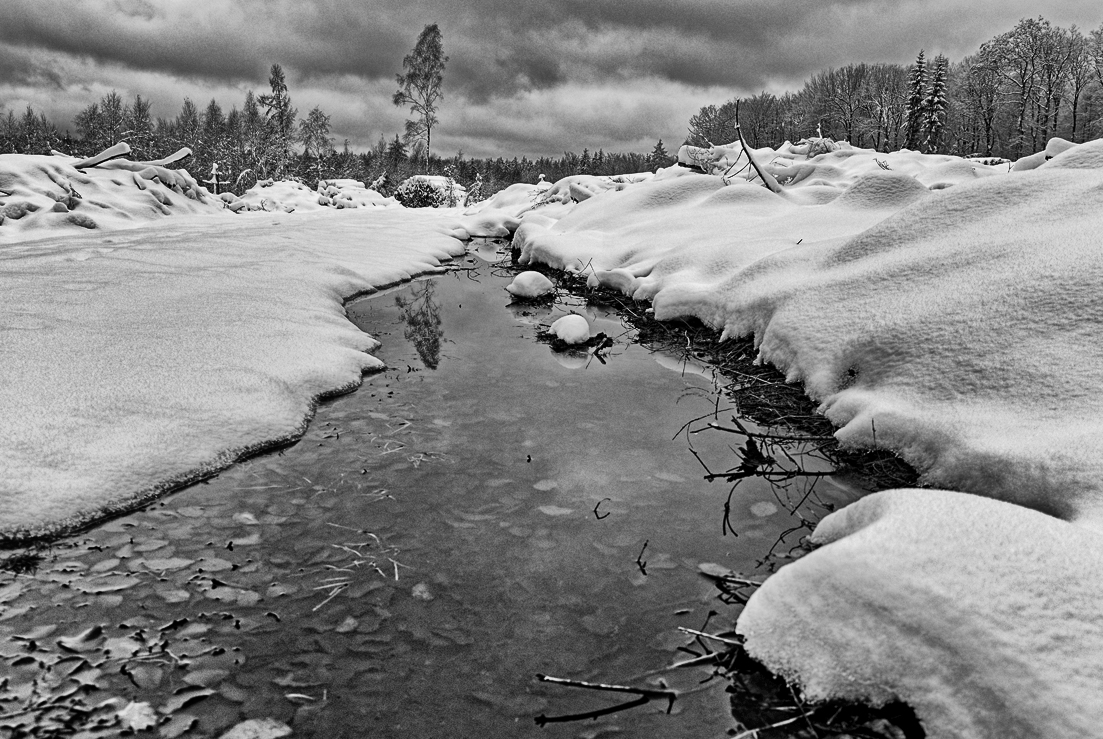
point(1021, 89)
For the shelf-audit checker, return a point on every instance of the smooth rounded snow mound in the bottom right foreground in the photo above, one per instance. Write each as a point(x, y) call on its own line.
point(984, 617)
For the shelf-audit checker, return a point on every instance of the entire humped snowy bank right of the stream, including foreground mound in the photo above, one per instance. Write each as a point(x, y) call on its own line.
point(938, 307)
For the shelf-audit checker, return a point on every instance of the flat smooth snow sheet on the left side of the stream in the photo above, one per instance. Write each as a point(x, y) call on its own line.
point(137, 359)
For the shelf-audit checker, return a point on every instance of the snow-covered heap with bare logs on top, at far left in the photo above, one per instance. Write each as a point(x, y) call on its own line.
point(42, 197)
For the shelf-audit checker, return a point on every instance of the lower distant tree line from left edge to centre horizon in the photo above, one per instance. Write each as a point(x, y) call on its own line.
point(266, 140)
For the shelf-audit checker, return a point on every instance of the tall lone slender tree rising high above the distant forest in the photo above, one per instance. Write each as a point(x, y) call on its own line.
point(420, 87)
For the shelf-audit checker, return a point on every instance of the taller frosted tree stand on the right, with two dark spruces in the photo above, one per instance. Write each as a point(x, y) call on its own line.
point(1020, 90)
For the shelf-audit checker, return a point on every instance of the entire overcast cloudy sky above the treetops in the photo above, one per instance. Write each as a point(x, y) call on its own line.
point(524, 78)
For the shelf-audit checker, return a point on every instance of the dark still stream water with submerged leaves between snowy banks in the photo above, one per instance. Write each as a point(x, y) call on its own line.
point(426, 550)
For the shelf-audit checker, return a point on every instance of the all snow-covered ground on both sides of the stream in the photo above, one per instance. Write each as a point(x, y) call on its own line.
point(947, 309)
